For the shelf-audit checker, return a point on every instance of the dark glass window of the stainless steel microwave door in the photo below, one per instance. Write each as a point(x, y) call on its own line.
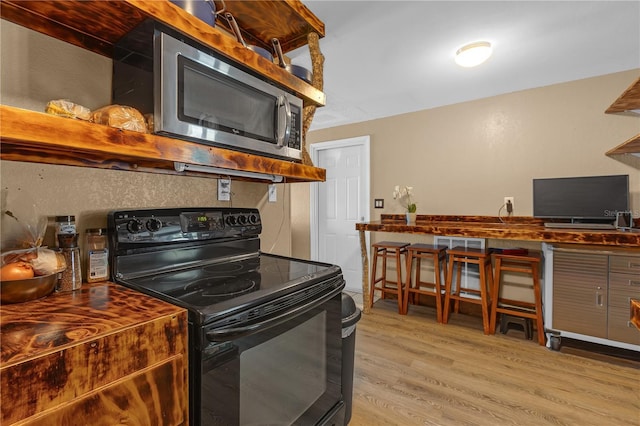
point(211, 99)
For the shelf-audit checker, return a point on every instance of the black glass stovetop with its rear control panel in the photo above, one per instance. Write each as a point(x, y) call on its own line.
point(205, 260)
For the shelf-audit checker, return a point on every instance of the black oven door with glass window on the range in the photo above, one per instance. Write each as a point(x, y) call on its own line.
point(284, 370)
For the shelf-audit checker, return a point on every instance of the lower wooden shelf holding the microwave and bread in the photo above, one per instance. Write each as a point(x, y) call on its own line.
point(42, 138)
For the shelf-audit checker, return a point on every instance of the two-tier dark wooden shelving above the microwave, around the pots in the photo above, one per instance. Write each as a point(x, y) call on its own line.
point(98, 25)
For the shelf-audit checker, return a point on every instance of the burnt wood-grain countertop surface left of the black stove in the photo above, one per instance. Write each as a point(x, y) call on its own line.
point(38, 327)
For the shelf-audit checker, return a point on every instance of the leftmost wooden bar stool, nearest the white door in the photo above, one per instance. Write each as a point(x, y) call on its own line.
point(388, 250)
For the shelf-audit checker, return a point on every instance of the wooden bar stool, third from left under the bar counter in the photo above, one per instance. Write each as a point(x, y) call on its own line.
point(458, 257)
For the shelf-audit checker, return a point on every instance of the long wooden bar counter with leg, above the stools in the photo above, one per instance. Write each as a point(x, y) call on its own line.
point(507, 228)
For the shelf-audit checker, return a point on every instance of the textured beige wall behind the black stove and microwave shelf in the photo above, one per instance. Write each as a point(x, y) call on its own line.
point(36, 69)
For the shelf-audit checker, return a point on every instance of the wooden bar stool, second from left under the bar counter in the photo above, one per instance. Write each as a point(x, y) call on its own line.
point(438, 256)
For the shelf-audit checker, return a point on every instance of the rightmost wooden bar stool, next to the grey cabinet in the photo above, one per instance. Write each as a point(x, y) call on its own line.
point(525, 264)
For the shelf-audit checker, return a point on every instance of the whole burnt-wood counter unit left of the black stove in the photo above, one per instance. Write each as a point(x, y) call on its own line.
point(102, 355)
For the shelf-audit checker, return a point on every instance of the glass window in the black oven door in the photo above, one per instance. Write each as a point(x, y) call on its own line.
point(281, 378)
